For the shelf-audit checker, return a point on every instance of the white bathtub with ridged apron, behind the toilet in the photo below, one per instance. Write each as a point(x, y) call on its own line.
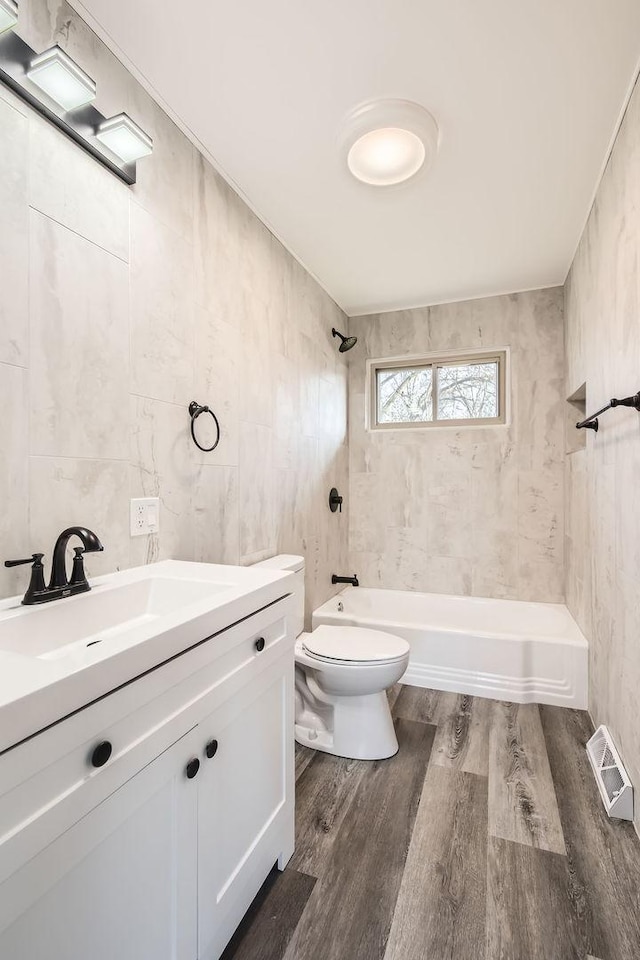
point(506, 649)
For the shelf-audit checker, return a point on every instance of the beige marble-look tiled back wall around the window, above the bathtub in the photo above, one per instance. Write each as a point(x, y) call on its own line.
point(470, 510)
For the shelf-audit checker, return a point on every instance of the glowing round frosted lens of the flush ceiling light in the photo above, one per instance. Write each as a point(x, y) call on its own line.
point(386, 156)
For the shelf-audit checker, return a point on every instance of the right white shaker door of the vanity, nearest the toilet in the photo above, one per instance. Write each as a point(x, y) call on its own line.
point(245, 802)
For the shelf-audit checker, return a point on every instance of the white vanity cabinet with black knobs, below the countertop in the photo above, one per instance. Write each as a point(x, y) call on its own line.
point(156, 854)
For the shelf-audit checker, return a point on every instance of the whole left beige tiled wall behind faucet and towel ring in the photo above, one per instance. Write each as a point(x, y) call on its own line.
point(120, 305)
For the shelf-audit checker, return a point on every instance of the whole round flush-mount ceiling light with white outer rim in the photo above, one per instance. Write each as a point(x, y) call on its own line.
point(389, 141)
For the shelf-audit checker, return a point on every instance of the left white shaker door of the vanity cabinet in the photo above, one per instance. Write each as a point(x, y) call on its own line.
point(118, 885)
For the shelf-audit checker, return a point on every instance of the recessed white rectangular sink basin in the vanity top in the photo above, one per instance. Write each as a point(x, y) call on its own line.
point(60, 628)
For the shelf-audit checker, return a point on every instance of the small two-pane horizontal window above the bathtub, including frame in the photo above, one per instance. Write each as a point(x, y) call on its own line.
point(438, 391)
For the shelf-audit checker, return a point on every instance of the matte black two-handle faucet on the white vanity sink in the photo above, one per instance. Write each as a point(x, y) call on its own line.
point(59, 587)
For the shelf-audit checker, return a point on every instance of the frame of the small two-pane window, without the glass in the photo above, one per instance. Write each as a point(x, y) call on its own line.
point(501, 355)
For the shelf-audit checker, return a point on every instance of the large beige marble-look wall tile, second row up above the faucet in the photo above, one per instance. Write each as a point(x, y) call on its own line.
point(79, 354)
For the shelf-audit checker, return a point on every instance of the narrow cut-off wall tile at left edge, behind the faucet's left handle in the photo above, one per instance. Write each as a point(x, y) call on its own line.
point(14, 496)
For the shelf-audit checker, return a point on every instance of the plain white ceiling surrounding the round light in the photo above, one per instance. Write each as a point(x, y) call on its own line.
point(527, 96)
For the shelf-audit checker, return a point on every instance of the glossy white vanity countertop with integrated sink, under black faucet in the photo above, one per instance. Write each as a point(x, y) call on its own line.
point(57, 657)
